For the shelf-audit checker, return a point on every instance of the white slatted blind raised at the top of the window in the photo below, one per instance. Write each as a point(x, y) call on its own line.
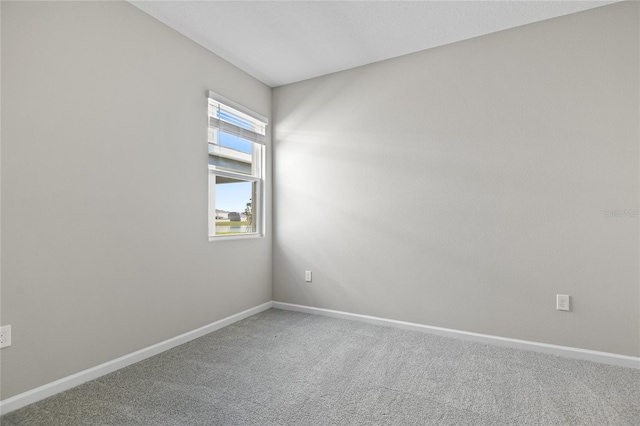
point(236, 120)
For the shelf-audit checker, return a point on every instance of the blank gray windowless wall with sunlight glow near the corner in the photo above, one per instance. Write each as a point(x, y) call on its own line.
point(465, 186)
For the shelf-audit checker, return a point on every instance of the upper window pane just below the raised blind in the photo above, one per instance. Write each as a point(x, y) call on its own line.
point(228, 152)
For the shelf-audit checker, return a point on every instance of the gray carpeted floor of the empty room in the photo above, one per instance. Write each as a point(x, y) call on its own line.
point(288, 368)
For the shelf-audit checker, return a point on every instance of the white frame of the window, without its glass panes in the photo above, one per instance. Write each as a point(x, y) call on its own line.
point(258, 168)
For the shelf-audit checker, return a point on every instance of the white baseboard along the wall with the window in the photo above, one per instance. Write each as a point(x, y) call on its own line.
point(50, 389)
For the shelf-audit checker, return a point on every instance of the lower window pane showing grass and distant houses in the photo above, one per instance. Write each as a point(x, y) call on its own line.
point(234, 206)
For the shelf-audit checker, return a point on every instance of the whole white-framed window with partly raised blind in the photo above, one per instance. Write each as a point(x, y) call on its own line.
point(236, 169)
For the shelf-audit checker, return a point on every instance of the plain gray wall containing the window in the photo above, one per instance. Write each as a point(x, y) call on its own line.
point(104, 189)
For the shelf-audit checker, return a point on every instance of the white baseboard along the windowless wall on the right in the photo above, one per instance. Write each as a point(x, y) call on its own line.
point(566, 351)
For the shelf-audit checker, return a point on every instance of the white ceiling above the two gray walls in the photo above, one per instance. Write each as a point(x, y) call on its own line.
point(281, 42)
